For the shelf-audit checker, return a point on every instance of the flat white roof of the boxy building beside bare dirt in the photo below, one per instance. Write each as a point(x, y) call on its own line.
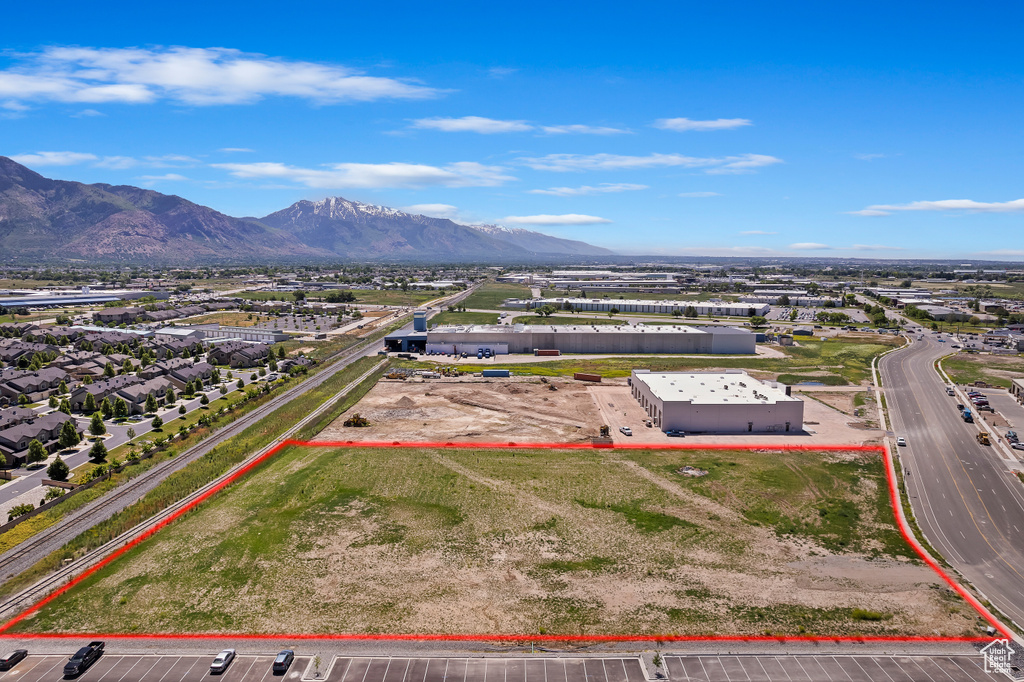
point(701, 389)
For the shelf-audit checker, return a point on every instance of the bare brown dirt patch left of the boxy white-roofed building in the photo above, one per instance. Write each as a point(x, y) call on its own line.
point(471, 409)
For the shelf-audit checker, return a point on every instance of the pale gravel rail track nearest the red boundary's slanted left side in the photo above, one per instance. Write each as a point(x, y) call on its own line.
point(11, 607)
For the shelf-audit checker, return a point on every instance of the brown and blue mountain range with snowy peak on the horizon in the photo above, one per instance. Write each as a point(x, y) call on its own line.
point(47, 221)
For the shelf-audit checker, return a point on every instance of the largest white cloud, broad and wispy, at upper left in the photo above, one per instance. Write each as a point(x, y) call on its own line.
point(192, 76)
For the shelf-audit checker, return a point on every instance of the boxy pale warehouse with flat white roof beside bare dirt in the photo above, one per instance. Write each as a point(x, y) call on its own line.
point(733, 403)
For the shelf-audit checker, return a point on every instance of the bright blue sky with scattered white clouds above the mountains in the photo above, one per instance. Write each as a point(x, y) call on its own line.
point(858, 130)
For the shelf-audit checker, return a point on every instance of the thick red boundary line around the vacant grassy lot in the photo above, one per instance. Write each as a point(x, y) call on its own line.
point(893, 499)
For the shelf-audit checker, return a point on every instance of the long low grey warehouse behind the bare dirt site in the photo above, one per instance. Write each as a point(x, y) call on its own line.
point(583, 338)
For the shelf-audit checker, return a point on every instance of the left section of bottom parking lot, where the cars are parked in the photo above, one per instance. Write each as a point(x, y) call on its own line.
point(114, 668)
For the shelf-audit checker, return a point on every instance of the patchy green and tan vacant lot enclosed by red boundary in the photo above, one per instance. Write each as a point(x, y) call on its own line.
point(580, 542)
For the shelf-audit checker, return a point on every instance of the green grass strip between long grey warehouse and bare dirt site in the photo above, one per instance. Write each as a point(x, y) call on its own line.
point(834, 363)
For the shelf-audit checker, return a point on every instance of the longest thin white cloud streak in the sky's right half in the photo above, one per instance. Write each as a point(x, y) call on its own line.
point(744, 163)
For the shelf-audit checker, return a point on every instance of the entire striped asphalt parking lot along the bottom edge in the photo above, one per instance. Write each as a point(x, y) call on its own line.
point(113, 668)
